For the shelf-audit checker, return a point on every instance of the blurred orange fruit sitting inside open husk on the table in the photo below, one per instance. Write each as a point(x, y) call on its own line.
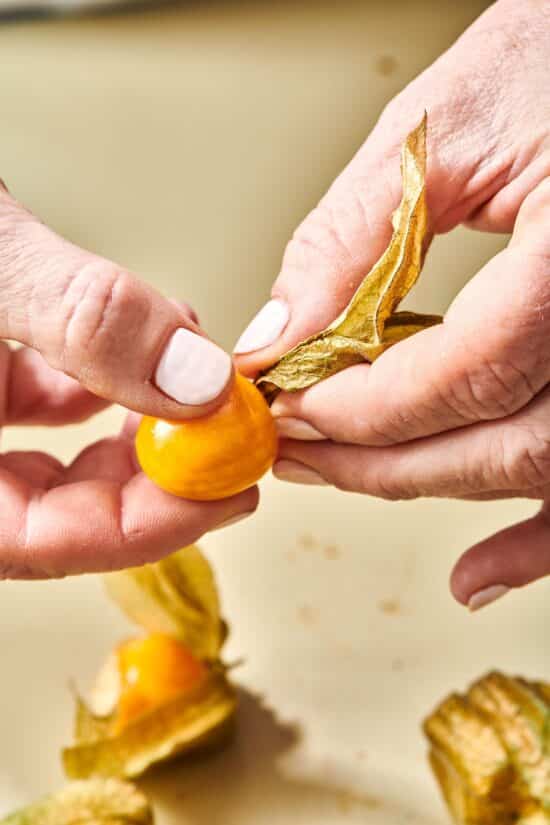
point(154, 670)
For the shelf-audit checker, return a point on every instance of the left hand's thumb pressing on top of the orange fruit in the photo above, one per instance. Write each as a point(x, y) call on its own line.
point(99, 324)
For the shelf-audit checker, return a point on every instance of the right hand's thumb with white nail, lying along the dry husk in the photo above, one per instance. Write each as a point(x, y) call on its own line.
point(326, 259)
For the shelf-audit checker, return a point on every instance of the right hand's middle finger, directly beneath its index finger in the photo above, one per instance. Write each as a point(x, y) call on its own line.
point(508, 455)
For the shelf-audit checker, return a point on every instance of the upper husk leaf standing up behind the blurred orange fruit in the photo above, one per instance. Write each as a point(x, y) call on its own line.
point(176, 596)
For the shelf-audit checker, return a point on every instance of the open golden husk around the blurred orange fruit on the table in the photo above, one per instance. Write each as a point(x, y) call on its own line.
point(178, 597)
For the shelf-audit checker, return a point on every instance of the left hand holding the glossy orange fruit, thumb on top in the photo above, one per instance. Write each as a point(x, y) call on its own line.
point(94, 334)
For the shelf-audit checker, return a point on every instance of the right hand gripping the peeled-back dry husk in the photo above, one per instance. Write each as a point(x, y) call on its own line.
point(461, 410)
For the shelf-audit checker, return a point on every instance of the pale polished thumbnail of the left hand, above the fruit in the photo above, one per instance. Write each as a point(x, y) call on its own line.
point(192, 370)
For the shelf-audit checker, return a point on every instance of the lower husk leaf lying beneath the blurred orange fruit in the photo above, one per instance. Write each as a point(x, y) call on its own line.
point(195, 721)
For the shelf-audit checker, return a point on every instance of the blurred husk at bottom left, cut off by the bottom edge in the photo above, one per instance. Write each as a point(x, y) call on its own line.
point(97, 802)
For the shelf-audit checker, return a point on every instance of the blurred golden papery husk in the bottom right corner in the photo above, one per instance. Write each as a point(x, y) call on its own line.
point(490, 752)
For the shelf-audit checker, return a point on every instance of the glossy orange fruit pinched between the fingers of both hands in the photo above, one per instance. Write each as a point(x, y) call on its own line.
point(212, 457)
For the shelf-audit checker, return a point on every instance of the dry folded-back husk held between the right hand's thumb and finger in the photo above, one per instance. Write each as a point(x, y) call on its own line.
point(369, 325)
